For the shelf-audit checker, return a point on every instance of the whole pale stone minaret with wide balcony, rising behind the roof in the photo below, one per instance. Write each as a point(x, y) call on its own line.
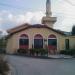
point(48, 20)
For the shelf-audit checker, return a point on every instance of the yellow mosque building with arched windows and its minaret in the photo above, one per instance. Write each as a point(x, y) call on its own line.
point(28, 36)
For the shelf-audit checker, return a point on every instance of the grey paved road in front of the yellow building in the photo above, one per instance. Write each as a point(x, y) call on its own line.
point(32, 66)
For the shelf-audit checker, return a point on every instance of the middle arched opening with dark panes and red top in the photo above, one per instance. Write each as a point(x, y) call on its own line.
point(38, 41)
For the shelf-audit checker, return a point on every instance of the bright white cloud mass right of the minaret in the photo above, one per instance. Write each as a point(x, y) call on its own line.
point(64, 10)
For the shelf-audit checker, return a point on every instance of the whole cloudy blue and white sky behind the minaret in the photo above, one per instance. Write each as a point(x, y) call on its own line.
point(16, 12)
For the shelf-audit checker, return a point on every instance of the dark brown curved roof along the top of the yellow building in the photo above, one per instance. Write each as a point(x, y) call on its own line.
point(27, 26)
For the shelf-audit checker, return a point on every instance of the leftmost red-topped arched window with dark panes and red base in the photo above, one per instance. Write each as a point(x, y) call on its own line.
point(24, 41)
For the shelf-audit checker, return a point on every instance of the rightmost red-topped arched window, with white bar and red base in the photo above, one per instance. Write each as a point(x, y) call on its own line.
point(52, 44)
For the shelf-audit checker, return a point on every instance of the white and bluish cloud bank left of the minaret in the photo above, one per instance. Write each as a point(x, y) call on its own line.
point(10, 20)
